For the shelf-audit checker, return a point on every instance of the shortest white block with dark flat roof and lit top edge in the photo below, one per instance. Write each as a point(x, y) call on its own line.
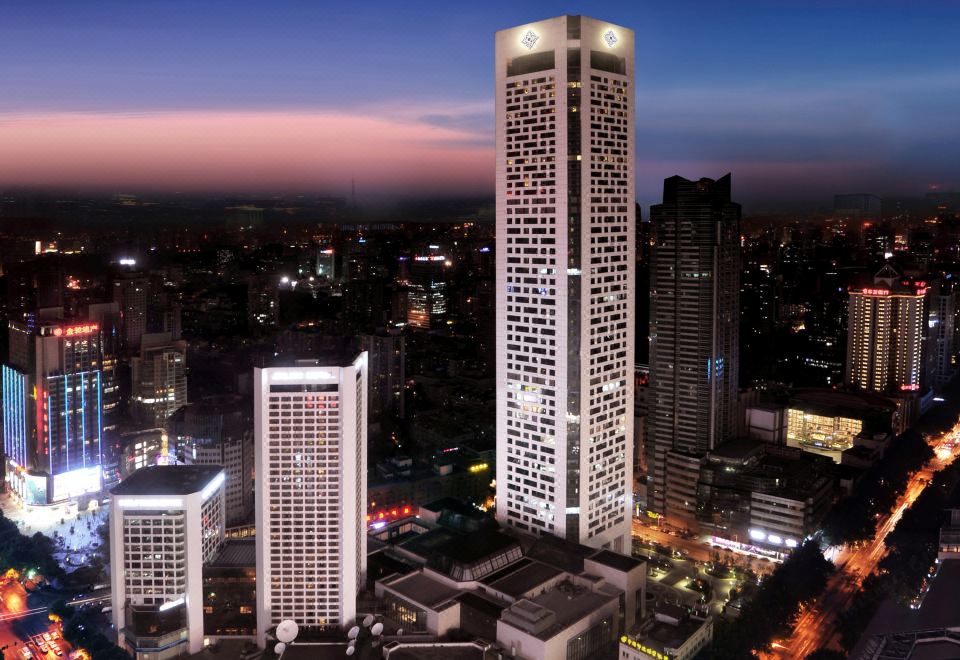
point(166, 522)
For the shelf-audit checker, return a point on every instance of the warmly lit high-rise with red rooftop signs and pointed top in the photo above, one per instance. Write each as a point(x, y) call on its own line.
point(885, 334)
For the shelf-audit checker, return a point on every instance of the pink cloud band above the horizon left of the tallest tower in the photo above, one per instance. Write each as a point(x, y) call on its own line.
point(297, 150)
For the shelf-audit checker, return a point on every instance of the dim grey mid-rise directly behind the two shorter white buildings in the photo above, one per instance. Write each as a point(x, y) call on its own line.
point(219, 431)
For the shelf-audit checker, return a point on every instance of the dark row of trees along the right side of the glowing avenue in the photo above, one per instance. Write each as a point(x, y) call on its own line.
point(911, 551)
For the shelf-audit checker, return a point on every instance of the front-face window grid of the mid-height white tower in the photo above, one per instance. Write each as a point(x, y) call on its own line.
point(304, 502)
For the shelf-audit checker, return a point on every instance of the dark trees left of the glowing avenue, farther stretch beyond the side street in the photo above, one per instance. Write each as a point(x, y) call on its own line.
point(854, 518)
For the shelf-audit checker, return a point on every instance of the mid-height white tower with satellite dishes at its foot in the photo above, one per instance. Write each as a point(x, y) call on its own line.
point(310, 422)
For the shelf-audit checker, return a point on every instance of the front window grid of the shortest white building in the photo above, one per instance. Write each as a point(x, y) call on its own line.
point(154, 556)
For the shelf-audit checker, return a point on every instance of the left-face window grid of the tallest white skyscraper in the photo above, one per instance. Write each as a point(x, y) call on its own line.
point(533, 269)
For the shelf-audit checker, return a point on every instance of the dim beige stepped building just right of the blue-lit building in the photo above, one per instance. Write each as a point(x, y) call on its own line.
point(159, 378)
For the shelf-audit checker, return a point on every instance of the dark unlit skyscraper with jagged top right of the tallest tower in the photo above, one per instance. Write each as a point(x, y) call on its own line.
point(694, 334)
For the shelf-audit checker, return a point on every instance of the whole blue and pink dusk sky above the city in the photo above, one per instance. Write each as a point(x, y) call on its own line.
point(798, 99)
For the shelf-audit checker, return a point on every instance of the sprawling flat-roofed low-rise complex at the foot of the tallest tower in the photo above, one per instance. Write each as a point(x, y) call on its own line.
point(536, 598)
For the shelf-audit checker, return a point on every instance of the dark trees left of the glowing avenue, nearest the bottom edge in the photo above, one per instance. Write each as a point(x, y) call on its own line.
point(774, 607)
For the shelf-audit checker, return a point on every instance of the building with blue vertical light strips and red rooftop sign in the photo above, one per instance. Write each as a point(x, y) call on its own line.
point(52, 423)
